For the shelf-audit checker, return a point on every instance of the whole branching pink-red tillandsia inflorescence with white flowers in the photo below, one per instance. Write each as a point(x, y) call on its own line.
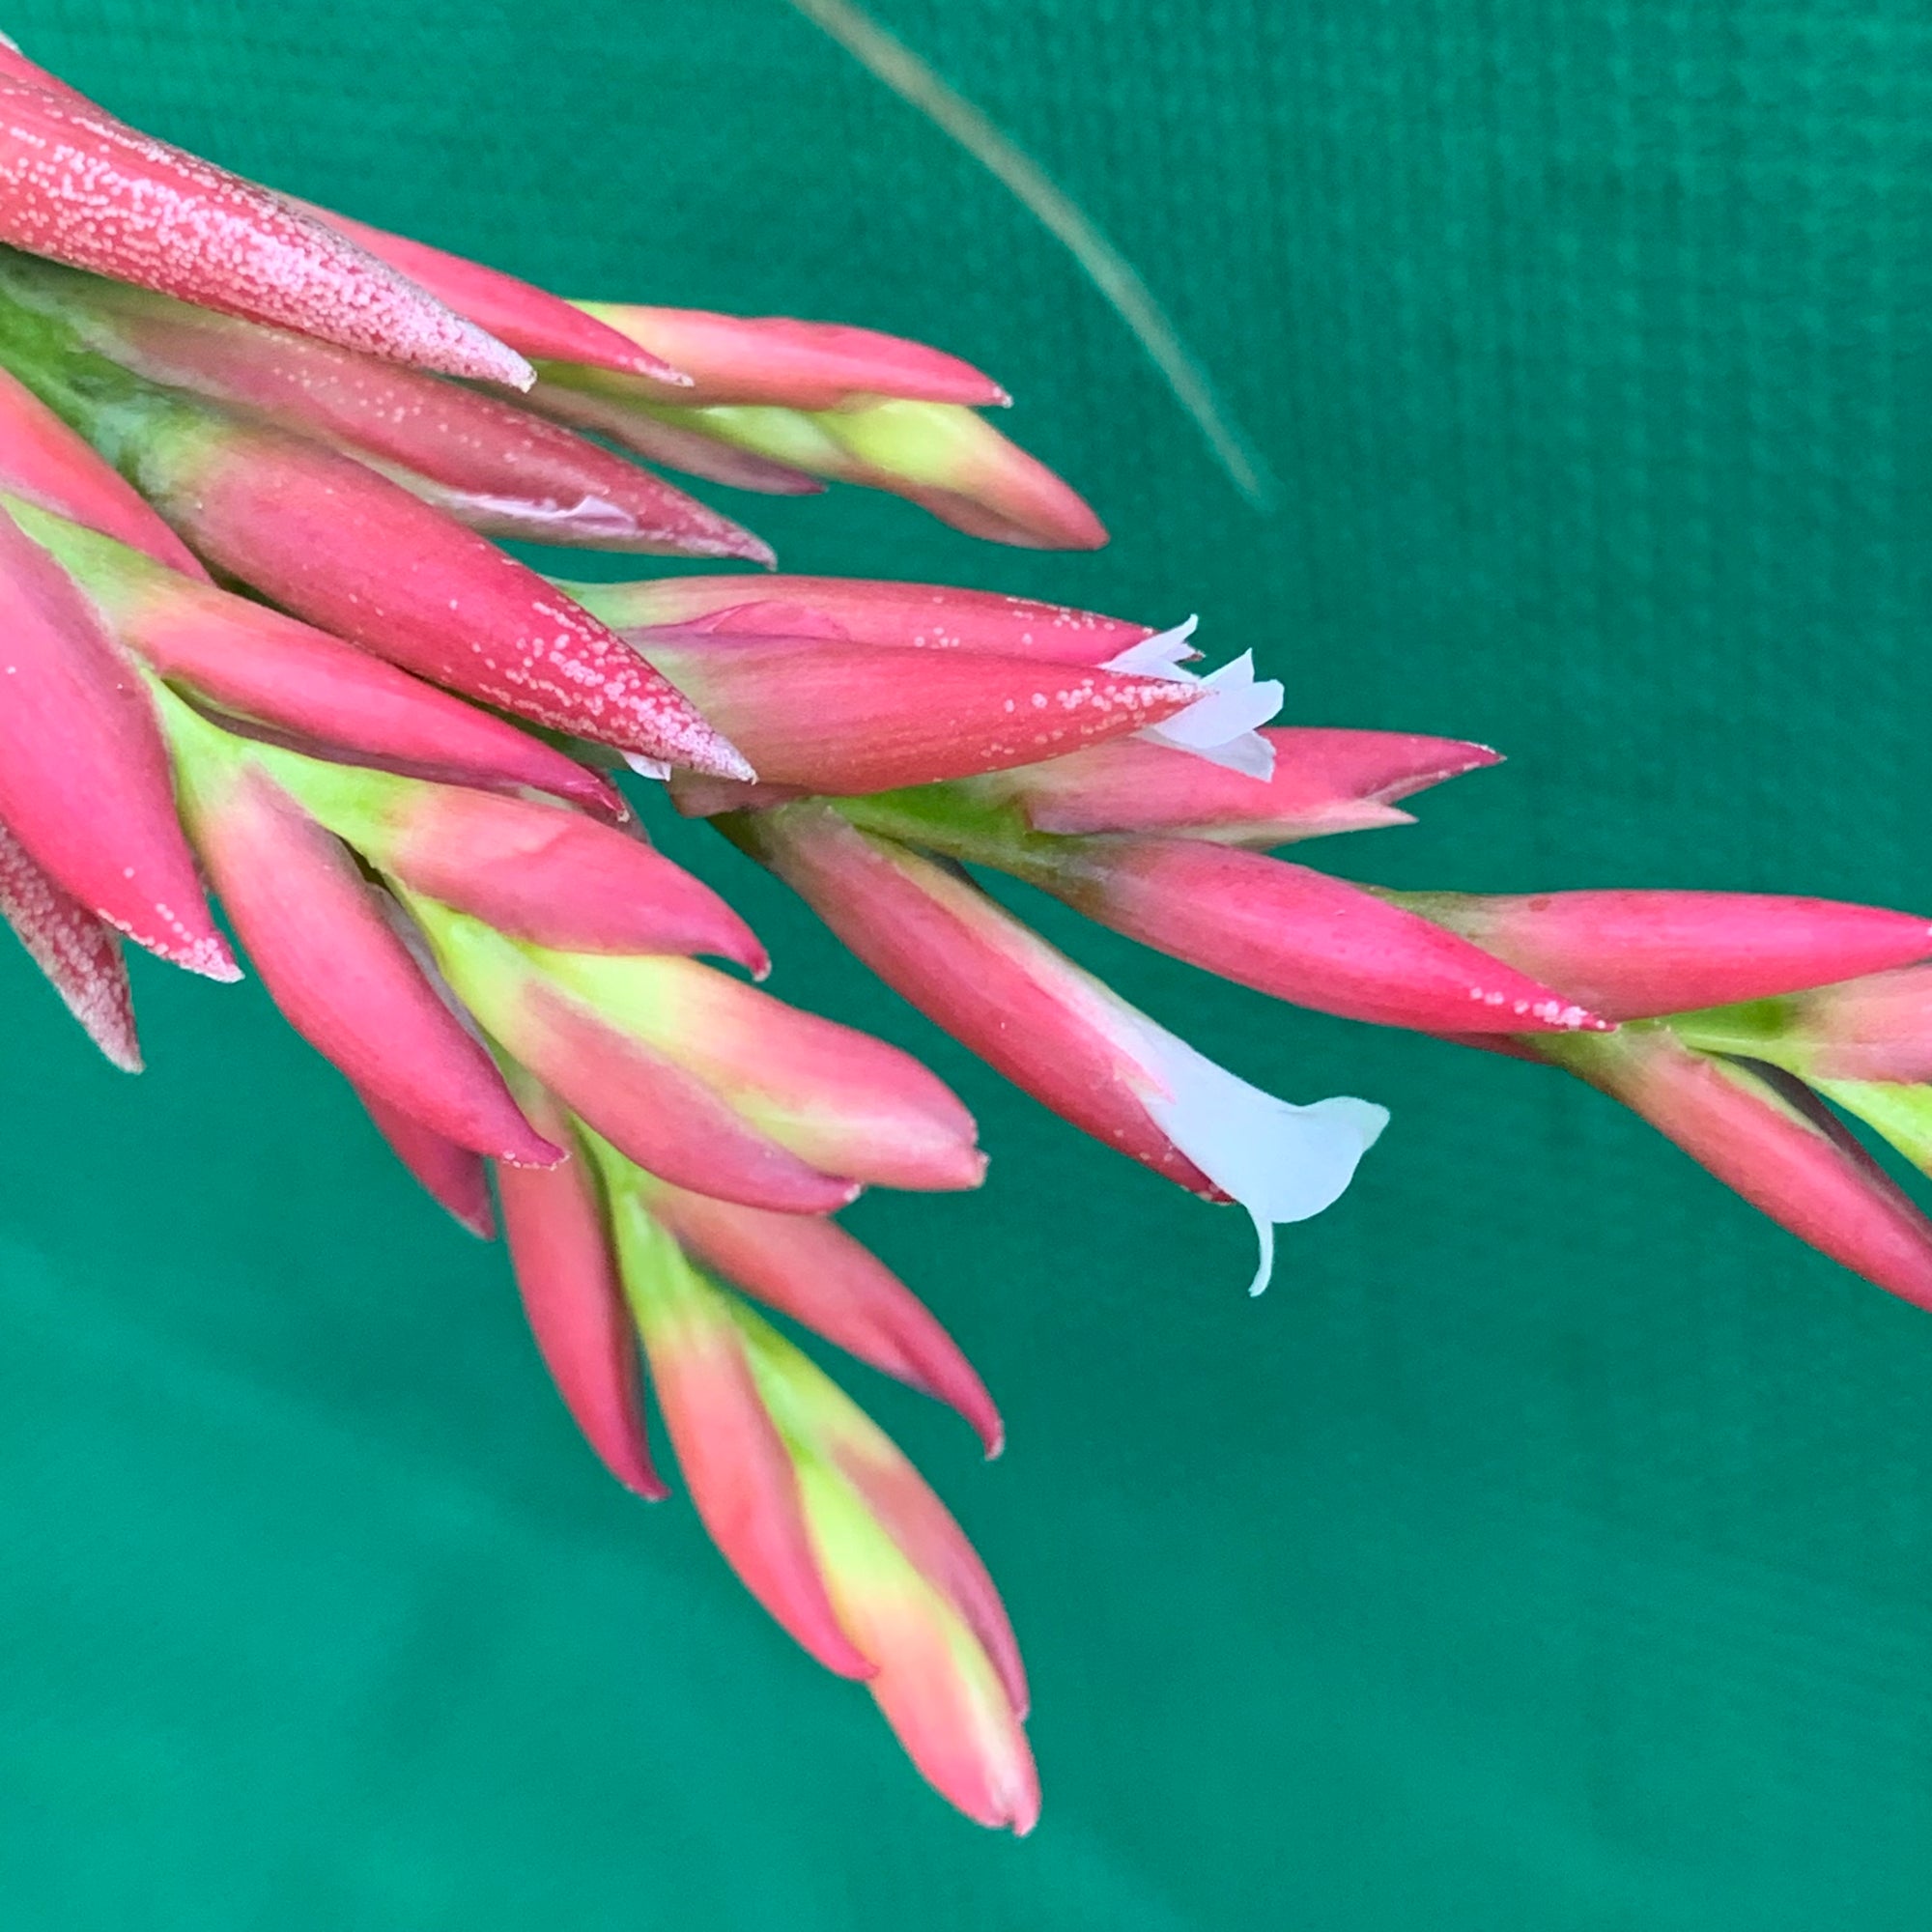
point(262, 642)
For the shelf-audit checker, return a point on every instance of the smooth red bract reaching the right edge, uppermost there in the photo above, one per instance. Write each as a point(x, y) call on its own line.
point(1635, 955)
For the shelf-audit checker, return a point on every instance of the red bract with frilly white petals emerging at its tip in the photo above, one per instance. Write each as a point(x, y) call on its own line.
point(859, 718)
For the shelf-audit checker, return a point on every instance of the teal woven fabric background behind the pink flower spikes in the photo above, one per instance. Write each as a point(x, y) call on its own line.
point(1552, 1547)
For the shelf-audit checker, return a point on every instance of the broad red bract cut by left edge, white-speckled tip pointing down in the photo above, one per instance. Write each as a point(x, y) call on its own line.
point(84, 778)
